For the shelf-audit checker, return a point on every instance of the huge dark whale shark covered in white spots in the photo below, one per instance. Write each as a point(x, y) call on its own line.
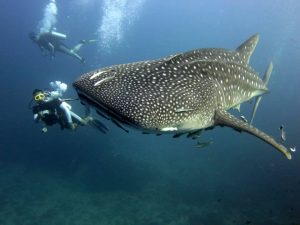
point(183, 93)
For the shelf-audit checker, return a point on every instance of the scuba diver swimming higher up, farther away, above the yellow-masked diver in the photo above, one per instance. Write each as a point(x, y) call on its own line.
point(52, 42)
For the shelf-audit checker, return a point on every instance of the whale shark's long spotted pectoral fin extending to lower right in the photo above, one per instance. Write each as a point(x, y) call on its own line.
point(223, 118)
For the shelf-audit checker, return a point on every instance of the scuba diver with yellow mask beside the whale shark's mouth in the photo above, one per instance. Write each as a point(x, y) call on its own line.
point(51, 109)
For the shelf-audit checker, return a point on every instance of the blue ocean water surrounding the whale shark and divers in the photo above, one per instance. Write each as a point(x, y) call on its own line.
point(88, 178)
